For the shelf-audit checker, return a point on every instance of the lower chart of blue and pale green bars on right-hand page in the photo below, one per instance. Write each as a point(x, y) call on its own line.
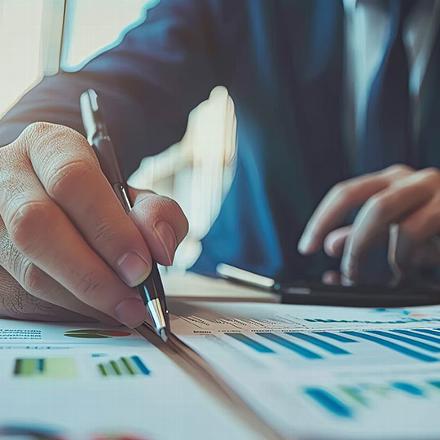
point(346, 401)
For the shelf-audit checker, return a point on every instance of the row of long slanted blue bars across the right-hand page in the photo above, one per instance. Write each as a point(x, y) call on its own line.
point(421, 345)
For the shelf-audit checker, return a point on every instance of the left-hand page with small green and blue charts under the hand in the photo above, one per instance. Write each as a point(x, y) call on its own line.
point(73, 382)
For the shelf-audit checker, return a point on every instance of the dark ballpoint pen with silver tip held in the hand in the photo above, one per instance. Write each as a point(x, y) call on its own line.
point(151, 290)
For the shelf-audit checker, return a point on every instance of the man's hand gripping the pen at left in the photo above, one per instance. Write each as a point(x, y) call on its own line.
point(69, 250)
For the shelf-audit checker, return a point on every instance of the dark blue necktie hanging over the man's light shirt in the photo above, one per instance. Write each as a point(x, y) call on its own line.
point(388, 130)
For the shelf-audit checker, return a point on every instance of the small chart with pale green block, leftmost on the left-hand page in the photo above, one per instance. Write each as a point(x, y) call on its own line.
point(53, 368)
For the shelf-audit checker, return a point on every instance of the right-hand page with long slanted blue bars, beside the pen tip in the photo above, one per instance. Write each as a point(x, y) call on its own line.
point(324, 372)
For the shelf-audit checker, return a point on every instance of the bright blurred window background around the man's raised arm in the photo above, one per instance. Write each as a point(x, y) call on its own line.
point(39, 37)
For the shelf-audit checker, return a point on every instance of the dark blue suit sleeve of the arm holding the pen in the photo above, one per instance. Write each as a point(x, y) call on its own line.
point(148, 84)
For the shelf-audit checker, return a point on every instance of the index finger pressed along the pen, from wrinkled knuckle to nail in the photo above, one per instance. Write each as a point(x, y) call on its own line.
point(71, 175)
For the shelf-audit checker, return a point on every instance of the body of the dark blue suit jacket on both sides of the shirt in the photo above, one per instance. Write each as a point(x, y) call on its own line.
point(289, 89)
